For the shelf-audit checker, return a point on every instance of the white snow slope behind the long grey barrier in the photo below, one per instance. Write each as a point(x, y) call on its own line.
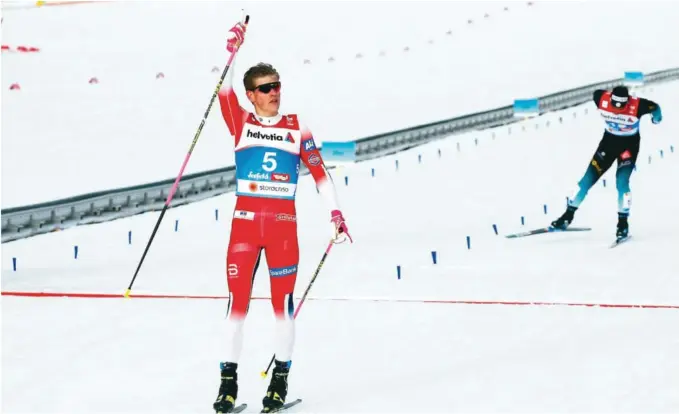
point(64, 137)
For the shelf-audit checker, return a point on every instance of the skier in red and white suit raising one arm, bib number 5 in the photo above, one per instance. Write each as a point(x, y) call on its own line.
point(268, 150)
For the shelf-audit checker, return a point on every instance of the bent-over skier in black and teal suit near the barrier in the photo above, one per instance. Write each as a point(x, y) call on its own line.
point(620, 141)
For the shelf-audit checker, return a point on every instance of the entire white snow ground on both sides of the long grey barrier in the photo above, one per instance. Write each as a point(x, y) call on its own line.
point(360, 348)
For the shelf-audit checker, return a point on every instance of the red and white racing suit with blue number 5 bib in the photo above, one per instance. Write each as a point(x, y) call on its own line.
point(268, 151)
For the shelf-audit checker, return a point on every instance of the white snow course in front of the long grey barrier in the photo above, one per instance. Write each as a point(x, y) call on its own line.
point(355, 353)
